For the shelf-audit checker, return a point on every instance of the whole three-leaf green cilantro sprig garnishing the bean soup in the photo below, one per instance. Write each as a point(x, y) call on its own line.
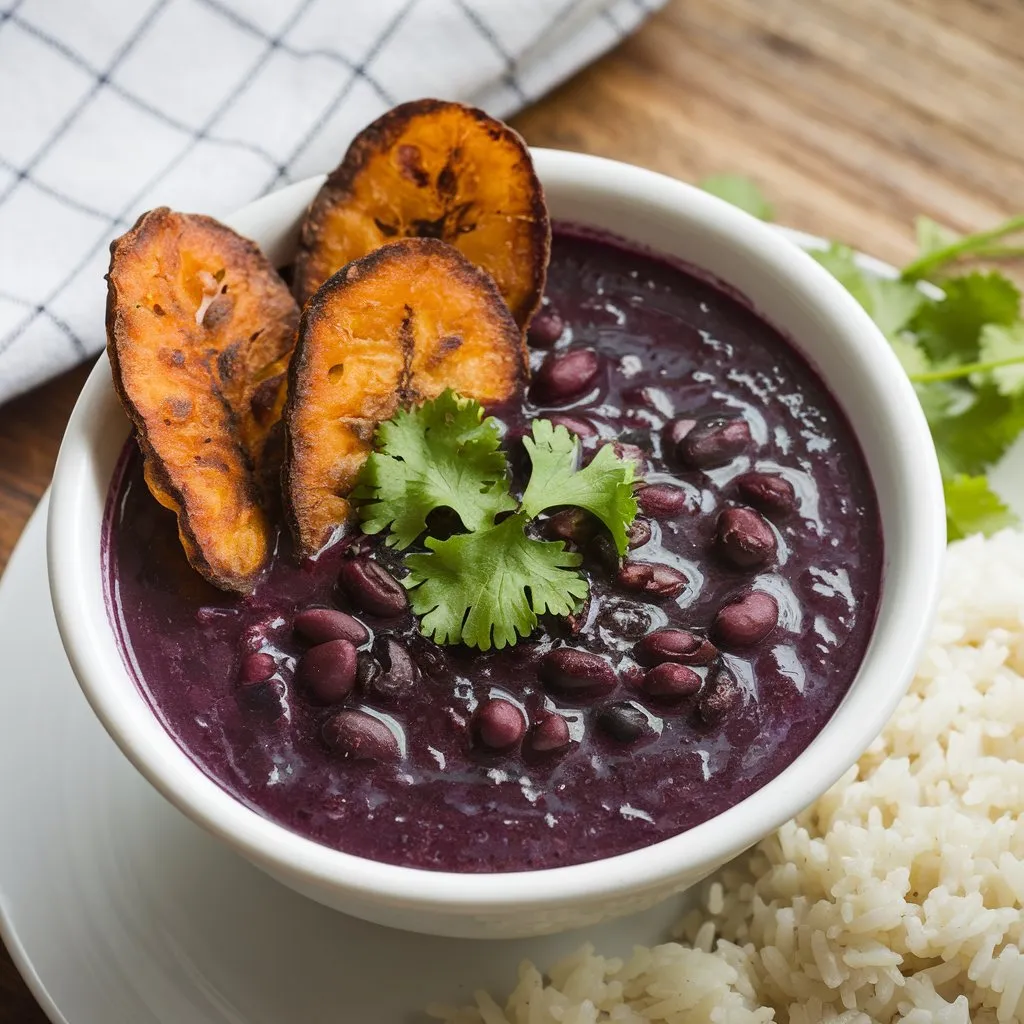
point(488, 586)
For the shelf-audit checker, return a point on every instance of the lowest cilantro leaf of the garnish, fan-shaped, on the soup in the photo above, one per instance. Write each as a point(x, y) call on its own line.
point(488, 588)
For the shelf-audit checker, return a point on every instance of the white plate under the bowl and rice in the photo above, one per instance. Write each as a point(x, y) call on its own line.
point(117, 910)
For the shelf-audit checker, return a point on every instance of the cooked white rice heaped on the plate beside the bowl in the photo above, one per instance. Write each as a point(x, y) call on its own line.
point(899, 897)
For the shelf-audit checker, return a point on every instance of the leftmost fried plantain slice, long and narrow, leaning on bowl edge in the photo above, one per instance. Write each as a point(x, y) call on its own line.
point(200, 329)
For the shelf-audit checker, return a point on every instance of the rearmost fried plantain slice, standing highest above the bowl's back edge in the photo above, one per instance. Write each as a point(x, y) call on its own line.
point(434, 169)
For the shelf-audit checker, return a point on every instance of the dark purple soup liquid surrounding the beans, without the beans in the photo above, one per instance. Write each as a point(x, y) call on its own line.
point(673, 345)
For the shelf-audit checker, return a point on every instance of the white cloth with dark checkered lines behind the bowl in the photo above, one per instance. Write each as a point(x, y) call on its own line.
point(109, 108)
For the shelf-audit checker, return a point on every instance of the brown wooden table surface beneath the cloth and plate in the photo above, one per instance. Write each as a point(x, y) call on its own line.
point(855, 118)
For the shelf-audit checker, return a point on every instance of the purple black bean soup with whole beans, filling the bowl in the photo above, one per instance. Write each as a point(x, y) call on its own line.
point(701, 665)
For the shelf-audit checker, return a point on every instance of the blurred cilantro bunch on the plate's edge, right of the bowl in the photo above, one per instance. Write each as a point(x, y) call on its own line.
point(960, 336)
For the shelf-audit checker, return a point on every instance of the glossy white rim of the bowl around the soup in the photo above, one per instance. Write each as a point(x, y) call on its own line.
point(74, 572)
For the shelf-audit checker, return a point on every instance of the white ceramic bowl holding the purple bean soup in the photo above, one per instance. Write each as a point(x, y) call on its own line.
point(792, 292)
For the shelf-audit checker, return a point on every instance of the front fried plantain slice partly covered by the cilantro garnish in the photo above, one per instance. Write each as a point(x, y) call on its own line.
point(397, 327)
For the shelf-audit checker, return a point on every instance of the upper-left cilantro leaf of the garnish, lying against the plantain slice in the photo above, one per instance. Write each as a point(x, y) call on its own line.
point(443, 454)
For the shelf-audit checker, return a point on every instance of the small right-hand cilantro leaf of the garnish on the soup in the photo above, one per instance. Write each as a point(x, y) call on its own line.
point(604, 488)
